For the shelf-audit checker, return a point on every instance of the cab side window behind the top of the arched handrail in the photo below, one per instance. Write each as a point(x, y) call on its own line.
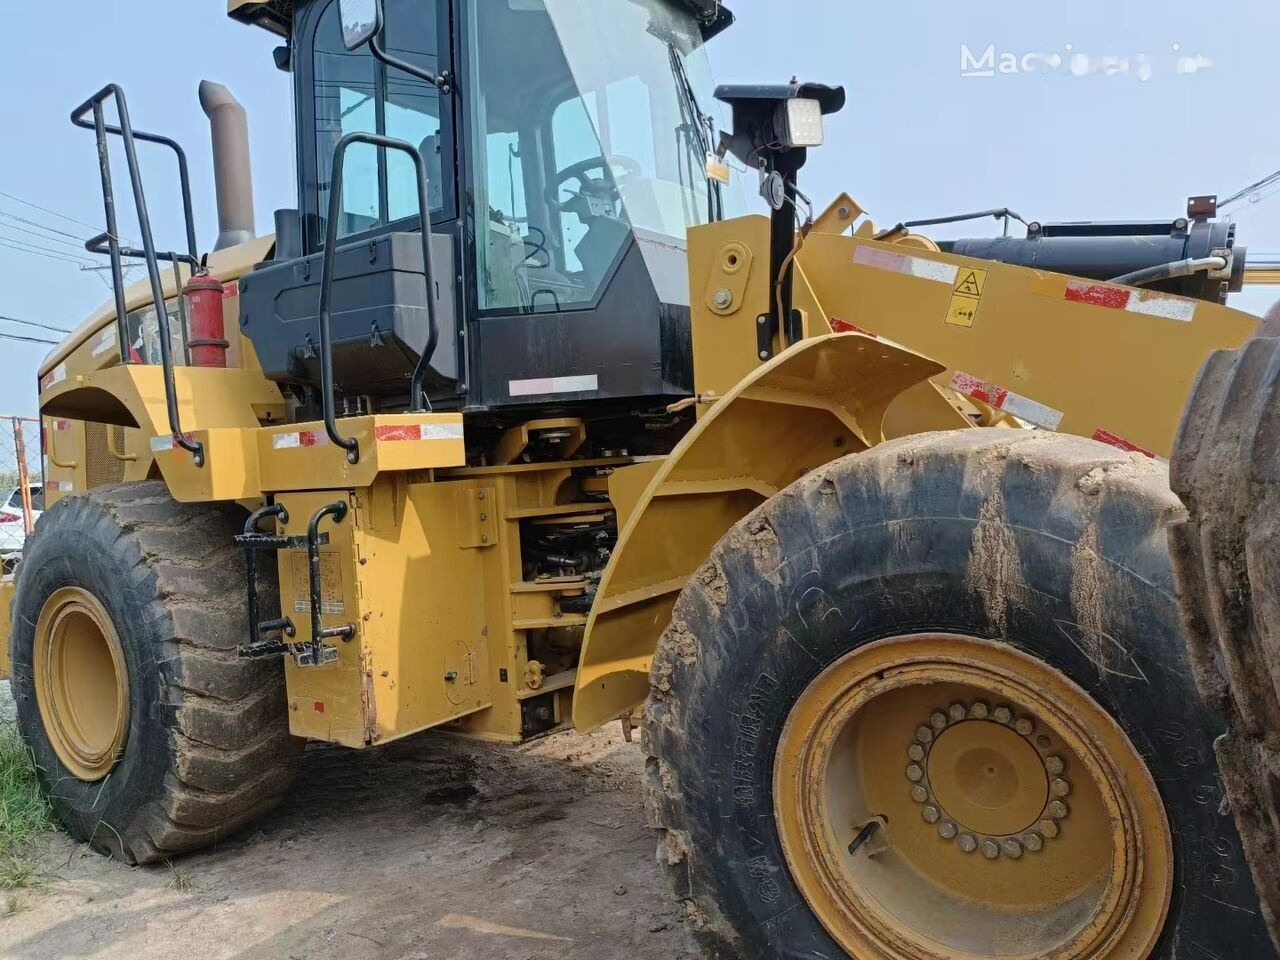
point(355, 93)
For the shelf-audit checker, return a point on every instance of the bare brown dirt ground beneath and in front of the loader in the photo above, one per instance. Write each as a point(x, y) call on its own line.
point(436, 849)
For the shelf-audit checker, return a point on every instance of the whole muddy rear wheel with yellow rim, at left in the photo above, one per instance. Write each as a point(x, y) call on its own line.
point(150, 591)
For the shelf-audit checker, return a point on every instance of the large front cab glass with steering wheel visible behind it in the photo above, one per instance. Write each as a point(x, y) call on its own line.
point(592, 121)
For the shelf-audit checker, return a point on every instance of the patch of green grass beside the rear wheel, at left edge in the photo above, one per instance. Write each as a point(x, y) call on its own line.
point(24, 815)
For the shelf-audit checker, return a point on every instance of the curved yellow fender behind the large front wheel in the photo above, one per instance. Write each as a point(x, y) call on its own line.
point(820, 400)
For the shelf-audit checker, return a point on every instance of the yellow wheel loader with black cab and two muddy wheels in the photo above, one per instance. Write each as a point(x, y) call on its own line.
point(520, 422)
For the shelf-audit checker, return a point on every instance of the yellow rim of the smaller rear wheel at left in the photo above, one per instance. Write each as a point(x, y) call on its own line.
point(81, 683)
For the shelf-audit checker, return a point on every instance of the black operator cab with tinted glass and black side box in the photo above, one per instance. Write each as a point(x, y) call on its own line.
point(566, 148)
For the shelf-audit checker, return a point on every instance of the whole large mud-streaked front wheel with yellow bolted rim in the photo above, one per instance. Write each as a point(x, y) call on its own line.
point(893, 601)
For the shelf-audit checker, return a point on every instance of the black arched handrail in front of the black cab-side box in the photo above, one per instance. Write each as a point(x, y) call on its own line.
point(418, 396)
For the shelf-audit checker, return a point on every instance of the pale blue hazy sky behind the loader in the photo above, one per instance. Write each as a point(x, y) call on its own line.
point(1194, 113)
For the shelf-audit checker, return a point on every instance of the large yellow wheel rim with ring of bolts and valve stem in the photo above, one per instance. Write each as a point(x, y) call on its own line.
point(941, 797)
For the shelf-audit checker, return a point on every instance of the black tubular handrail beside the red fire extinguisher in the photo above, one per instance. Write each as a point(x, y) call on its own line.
point(112, 237)
